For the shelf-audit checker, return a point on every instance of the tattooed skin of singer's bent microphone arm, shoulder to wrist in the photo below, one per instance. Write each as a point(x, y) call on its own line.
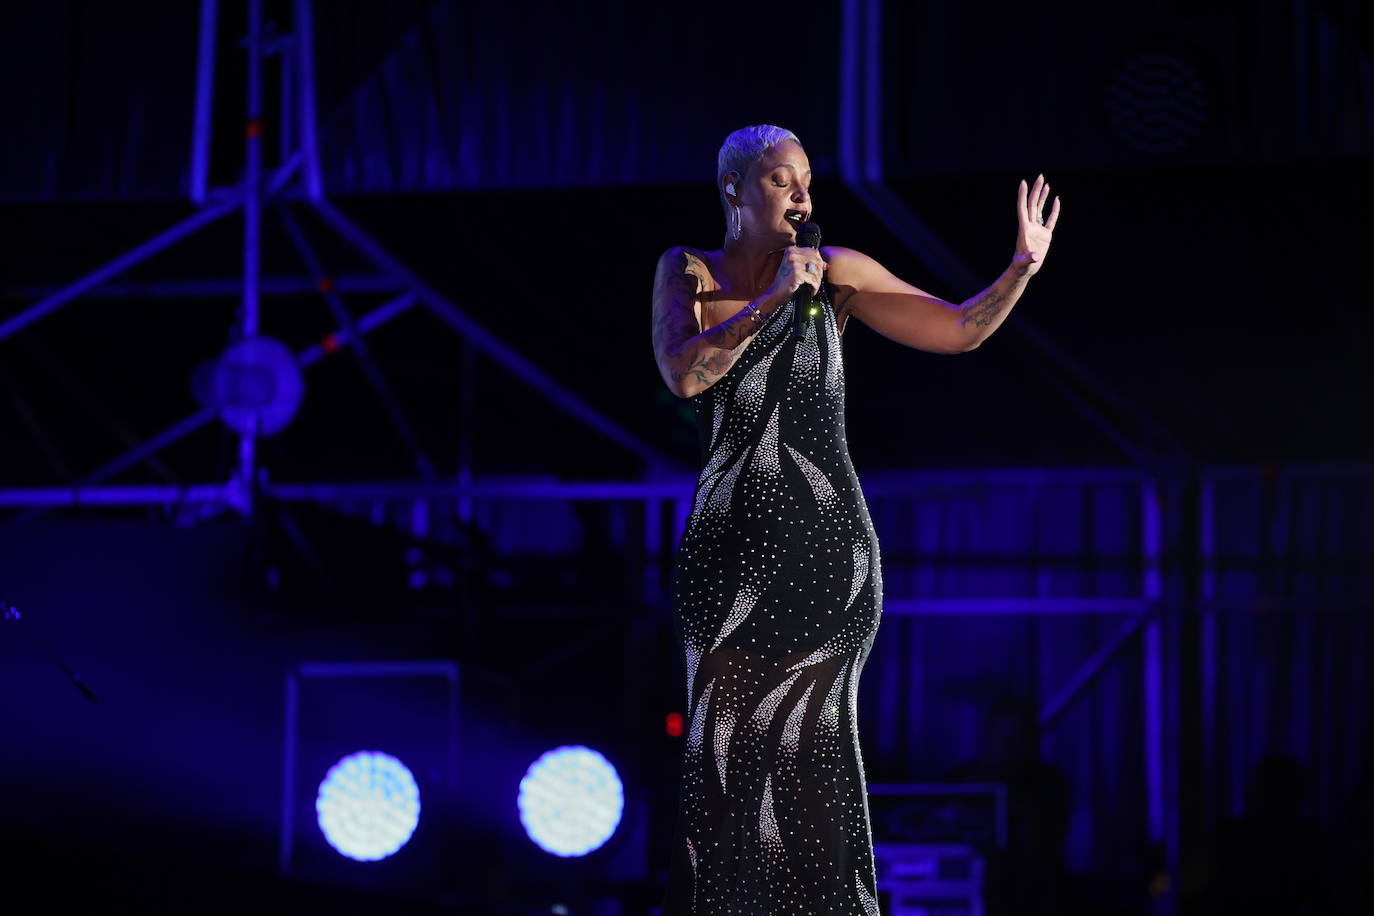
point(700, 356)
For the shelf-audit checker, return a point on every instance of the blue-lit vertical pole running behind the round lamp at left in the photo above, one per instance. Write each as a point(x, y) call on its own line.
point(252, 223)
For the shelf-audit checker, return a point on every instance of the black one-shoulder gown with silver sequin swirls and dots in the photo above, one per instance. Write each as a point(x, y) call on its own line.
point(777, 601)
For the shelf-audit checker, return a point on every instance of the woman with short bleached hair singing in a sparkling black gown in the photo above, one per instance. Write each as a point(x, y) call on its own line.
point(778, 584)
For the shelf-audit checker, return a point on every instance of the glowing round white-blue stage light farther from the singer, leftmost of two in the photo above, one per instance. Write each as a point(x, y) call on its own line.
point(369, 805)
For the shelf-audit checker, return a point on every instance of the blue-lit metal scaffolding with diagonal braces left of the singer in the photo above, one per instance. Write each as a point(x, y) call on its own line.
point(273, 192)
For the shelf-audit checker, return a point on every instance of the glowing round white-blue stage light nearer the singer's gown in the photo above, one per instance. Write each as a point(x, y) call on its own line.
point(571, 801)
